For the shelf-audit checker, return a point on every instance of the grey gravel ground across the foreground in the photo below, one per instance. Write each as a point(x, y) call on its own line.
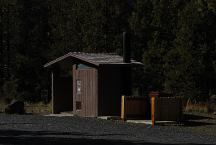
point(35, 129)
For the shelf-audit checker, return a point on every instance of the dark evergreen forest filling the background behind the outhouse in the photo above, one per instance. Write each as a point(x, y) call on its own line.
point(174, 39)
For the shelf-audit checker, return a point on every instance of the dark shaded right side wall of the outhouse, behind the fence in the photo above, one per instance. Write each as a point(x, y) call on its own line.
point(114, 82)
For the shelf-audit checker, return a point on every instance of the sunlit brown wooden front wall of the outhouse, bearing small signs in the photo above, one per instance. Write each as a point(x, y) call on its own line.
point(89, 91)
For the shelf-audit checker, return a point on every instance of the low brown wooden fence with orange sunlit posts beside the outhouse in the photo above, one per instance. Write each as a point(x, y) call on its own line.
point(160, 108)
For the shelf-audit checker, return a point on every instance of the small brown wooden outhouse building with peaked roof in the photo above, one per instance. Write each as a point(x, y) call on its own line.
point(95, 86)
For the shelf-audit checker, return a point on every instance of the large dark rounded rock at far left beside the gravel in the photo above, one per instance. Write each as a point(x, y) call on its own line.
point(15, 107)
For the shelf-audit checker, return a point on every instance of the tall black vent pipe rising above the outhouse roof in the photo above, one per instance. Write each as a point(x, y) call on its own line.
point(126, 48)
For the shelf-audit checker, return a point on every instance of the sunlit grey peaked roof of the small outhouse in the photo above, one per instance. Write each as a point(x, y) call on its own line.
point(93, 58)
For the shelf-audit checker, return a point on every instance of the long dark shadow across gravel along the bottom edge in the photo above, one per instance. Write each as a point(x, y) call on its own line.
point(18, 137)
